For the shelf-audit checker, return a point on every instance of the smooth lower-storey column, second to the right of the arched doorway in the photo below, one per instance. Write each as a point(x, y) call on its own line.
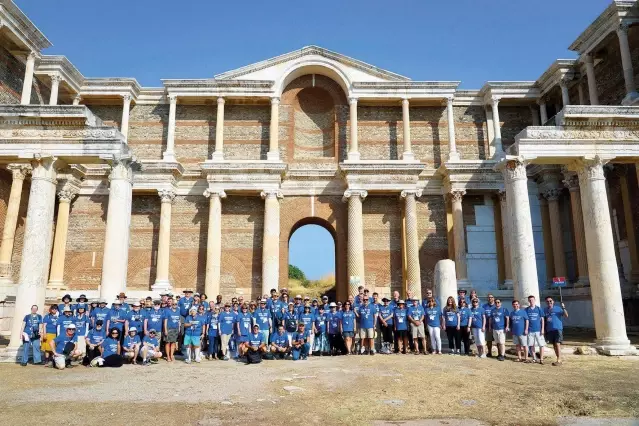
point(413, 272)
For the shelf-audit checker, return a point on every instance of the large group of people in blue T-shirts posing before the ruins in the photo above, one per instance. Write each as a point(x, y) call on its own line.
point(276, 327)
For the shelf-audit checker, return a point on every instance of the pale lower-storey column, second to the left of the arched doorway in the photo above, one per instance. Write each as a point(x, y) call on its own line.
point(214, 243)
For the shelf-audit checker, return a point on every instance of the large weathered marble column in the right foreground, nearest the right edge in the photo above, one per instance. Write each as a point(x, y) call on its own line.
point(607, 303)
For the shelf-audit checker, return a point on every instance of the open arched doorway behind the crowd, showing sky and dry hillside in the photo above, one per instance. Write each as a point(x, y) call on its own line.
point(312, 249)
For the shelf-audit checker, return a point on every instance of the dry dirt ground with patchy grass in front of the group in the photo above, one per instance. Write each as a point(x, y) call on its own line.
point(350, 390)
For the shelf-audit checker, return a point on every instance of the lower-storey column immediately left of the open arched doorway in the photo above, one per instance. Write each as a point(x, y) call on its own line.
point(271, 241)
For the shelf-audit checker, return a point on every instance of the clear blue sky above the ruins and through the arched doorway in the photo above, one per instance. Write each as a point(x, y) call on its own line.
point(472, 41)
